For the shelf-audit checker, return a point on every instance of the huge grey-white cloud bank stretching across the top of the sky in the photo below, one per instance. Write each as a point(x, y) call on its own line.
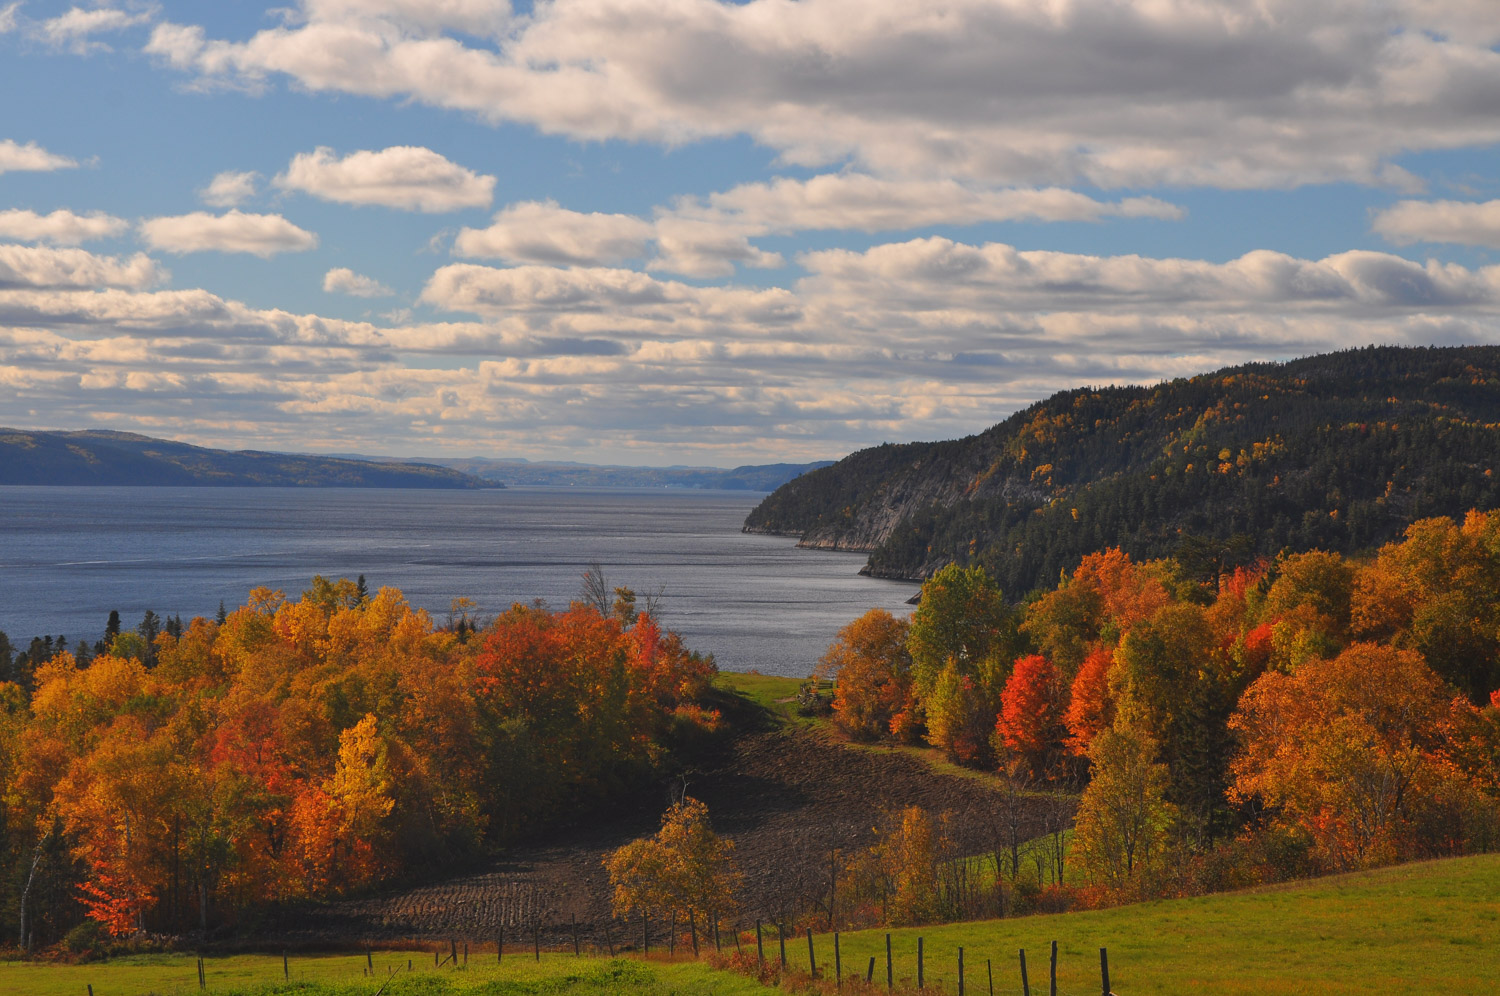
point(1025, 92)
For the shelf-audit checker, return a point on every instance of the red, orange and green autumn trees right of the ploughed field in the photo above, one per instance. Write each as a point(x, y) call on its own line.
point(1304, 715)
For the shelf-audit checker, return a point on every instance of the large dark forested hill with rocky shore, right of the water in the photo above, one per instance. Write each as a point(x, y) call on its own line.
point(1337, 452)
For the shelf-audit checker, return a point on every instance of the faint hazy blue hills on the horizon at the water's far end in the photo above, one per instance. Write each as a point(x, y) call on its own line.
point(760, 478)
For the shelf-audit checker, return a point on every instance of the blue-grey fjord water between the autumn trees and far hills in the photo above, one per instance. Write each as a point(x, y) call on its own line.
point(68, 556)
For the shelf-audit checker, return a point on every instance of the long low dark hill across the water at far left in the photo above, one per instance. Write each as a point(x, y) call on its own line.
point(124, 458)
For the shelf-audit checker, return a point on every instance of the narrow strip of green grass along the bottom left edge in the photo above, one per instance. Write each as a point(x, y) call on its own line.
point(344, 976)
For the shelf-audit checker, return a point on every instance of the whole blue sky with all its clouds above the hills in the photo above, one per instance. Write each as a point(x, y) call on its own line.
point(709, 233)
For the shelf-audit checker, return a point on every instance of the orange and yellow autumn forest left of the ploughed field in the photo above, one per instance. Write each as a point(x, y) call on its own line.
point(301, 749)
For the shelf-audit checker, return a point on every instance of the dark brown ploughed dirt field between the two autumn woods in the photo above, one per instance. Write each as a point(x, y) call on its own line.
point(787, 797)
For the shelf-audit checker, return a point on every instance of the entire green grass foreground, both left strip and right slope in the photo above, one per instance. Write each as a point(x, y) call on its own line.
point(1418, 929)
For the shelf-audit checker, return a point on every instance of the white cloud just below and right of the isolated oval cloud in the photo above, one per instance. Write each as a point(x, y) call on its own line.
point(541, 232)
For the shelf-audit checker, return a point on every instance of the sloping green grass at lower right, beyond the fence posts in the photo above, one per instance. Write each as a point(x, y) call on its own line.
point(1426, 928)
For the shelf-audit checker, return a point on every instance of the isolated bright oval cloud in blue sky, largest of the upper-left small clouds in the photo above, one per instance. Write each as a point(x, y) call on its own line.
point(407, 178)
